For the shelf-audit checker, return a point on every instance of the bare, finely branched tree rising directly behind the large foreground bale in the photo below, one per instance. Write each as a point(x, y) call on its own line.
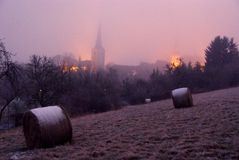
point(45, 80)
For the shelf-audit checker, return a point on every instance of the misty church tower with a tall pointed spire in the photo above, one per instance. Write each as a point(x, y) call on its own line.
point(98, 54)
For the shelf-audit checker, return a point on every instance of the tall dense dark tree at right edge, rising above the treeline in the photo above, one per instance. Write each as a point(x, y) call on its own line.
point(221, 58)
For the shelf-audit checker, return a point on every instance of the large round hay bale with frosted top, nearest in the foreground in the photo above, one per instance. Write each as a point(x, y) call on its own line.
point(46, 127)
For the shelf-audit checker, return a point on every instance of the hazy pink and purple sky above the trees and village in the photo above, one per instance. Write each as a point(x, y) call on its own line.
point(133, 30)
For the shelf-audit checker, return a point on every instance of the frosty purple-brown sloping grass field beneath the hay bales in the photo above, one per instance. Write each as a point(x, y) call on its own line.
point(209, 130)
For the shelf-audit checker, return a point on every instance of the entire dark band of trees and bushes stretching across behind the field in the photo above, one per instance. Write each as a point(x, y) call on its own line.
point(42, 82)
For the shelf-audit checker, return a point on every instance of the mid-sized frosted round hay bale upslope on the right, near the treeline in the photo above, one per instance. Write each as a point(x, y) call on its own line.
point(182, 97)
